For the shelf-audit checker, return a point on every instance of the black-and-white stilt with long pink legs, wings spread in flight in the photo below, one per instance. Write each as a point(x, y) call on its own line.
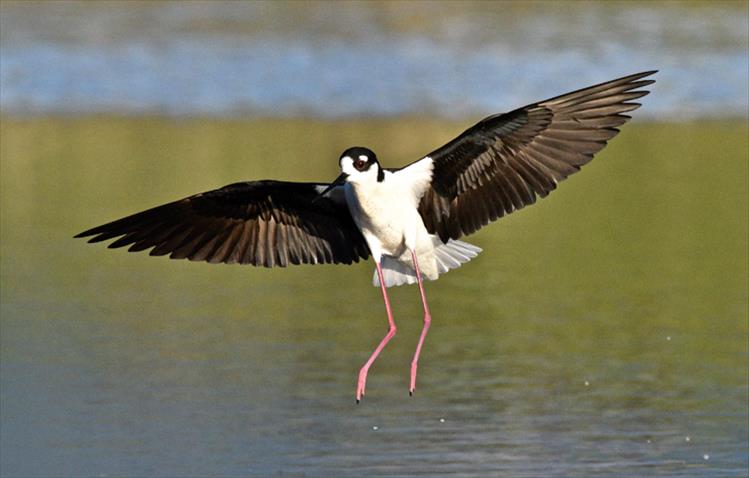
point(410, 219)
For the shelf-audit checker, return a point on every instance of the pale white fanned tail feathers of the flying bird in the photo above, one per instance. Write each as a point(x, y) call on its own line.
point(448, 256)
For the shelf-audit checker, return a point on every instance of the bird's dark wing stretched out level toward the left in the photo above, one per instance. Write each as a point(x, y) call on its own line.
point(263, 223)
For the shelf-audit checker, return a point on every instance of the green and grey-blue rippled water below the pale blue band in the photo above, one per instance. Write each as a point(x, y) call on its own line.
point(602, 332)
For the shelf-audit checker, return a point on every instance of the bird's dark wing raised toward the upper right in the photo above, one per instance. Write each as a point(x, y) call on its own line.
point(503, 162)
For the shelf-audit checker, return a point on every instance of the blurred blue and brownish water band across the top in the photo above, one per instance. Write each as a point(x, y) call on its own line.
point(353, 58)
